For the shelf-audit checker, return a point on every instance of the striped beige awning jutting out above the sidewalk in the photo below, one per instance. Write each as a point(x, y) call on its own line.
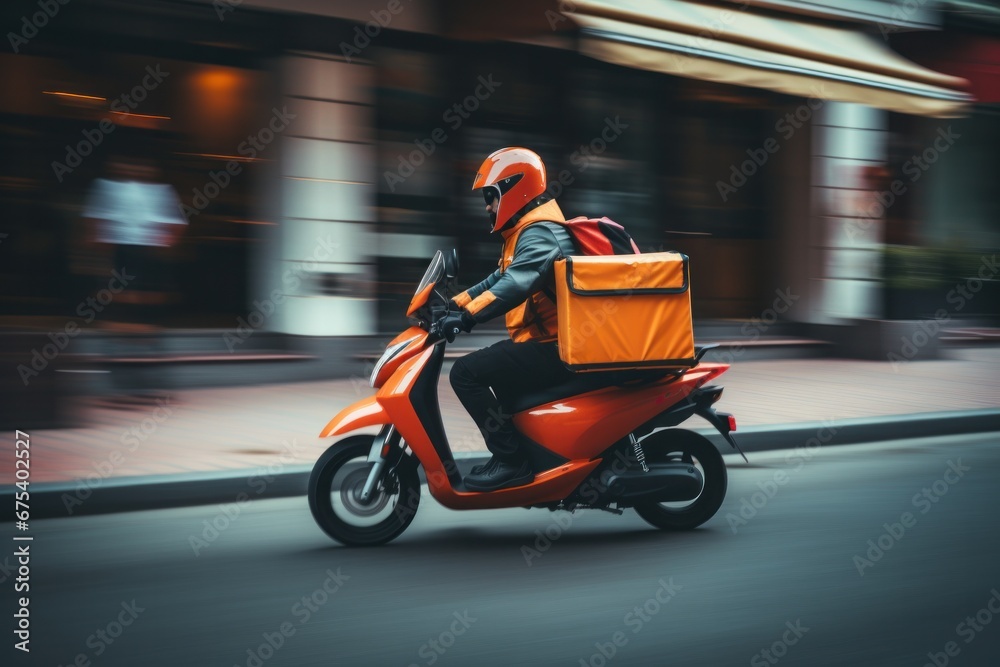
point(789, 55)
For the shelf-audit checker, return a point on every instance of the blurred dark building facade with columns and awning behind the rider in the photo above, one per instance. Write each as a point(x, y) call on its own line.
point(754, 136)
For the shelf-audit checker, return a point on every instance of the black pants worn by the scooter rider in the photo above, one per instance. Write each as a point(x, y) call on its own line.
point(508, 368)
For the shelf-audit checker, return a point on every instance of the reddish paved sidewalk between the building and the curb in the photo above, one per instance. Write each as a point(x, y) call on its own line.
point(275, 426)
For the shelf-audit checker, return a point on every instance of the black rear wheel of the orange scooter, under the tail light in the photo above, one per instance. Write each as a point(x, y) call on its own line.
point(675, 445)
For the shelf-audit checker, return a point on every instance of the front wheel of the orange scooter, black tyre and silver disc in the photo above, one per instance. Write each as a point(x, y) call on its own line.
point(335, 495)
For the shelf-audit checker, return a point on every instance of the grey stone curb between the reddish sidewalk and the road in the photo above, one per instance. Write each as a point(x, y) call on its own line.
point(129, 494)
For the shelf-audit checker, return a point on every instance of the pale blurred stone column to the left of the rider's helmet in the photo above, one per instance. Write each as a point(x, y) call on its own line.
point(323, 252)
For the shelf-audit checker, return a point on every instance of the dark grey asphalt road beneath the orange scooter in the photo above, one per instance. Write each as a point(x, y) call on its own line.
point(781, 586)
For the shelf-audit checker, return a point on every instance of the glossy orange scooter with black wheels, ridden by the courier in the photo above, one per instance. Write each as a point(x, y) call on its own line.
point(599, 441)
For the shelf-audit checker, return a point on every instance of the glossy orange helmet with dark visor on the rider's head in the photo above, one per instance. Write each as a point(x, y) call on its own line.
point(514, 175)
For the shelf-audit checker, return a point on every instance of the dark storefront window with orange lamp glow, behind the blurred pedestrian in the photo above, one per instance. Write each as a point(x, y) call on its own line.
point(66, 127)
